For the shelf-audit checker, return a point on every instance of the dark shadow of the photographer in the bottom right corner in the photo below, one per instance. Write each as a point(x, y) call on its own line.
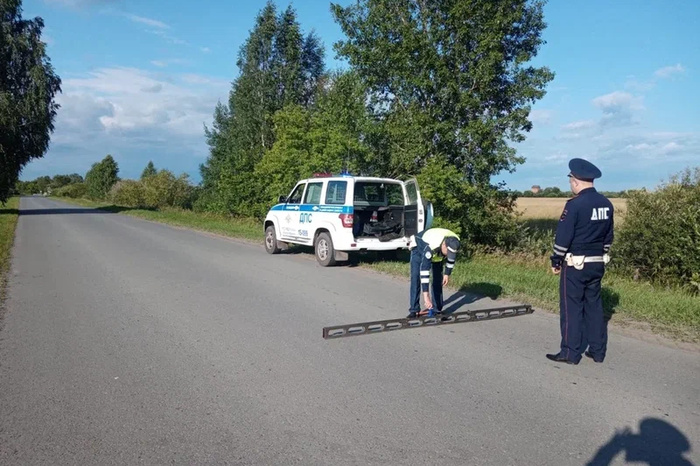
point(657, 443)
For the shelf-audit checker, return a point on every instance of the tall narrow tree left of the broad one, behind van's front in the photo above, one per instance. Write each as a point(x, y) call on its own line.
point(278, 66)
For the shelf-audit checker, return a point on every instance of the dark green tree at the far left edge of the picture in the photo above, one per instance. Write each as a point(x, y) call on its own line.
point(28, 85)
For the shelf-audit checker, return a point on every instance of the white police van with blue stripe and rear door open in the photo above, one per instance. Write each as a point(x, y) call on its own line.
point(340, 214)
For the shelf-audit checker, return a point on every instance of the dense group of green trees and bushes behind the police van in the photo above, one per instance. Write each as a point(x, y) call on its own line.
point(433, 90)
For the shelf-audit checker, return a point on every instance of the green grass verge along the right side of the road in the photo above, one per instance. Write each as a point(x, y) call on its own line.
point(669, 312)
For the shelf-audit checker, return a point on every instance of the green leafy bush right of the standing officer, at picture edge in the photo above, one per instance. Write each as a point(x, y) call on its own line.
point(660, 237)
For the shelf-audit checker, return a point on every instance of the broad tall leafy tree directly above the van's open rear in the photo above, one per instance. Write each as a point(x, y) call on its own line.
point(448, 77)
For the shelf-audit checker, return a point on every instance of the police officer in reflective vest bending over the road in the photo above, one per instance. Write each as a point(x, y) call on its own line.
point(429, 249)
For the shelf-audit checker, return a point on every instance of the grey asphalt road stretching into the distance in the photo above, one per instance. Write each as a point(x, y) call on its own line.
point(129, 342)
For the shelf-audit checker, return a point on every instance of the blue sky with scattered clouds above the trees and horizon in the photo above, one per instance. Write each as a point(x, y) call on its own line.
point(141, 79)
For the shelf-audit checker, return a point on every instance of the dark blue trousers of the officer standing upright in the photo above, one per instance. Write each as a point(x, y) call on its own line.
point(581, 311)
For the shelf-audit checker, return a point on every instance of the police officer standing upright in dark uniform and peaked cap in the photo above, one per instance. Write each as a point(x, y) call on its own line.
point(583, 239)
